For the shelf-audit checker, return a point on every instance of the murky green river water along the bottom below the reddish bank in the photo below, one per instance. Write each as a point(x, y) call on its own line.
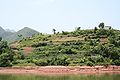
point(59, 77)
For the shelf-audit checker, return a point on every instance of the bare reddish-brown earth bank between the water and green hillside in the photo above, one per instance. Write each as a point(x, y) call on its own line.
point(46, 70)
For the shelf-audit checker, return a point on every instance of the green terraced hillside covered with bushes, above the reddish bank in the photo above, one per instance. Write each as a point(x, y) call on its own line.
point(98, 46)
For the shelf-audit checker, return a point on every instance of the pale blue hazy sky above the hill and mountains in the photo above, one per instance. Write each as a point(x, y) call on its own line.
point(62, 15)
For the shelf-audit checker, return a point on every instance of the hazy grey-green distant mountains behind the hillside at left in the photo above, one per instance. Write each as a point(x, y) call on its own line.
point(11, 36)
